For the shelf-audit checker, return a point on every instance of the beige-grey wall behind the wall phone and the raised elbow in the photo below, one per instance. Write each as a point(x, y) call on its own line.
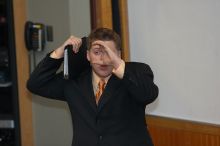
point(52, 121)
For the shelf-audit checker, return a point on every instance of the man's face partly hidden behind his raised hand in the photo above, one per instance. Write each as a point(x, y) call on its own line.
point(100, 60)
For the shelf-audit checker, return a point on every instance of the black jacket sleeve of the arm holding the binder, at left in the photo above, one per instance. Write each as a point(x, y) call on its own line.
point(44, 81)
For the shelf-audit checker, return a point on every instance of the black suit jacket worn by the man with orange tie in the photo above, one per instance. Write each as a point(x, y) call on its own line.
point(118, 119)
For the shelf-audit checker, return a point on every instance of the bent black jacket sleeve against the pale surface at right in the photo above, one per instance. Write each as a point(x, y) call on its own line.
point(138, 78)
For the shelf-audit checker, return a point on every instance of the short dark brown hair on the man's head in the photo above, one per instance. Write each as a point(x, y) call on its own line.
point(104, 34)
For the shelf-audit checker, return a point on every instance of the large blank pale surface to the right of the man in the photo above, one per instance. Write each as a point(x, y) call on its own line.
point(180, 41)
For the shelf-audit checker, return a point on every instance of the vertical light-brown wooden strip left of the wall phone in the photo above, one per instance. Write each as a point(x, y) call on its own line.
point(25, 103)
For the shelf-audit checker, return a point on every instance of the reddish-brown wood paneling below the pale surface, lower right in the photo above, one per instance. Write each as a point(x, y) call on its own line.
point(173, 132)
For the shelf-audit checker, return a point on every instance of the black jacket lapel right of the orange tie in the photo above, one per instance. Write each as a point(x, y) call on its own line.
point(110, 89)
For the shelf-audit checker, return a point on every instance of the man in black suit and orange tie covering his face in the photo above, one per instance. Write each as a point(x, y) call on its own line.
point(117, 117)
